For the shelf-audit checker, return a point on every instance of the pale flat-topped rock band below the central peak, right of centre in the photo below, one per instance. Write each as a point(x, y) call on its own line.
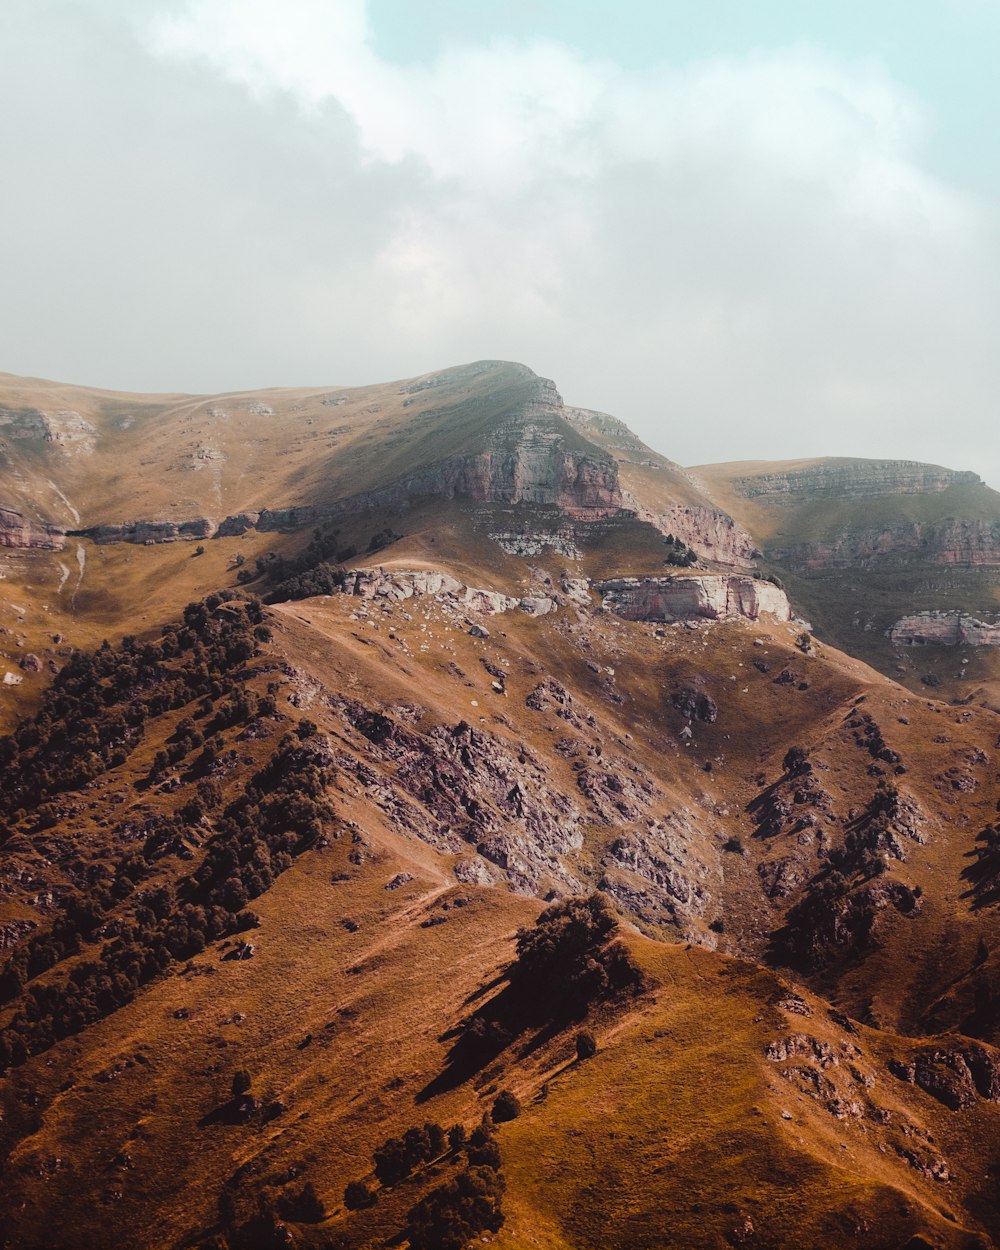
point(712, 597)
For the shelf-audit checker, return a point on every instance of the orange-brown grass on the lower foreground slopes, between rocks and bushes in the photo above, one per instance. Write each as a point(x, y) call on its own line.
point(678, 1123)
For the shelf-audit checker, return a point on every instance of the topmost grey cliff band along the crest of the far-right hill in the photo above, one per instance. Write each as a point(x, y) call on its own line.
point(856, 479)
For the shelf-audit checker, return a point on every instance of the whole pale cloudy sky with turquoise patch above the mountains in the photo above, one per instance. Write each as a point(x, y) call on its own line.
point(752, 229)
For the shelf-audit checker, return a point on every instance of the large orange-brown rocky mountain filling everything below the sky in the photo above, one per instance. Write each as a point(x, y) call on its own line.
point(447, 746)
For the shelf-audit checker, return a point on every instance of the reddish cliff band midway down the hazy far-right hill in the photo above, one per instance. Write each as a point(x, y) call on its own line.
point(952, 543)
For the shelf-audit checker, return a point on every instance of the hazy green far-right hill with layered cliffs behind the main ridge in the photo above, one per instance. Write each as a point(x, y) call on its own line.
point(869, 549)
